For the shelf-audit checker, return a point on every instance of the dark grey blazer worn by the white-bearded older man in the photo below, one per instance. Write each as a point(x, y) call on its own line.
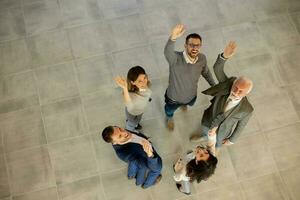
point(233, 121)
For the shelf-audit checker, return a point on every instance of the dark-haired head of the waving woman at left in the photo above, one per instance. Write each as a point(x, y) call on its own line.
point(137, 79)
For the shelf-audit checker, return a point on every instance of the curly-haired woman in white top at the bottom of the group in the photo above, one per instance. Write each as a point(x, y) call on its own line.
point(197, 165)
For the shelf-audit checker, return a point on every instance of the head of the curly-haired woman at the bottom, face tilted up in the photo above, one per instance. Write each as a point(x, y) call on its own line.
point(203, 166)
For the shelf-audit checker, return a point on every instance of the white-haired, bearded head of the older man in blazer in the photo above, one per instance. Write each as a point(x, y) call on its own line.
point(240, 88)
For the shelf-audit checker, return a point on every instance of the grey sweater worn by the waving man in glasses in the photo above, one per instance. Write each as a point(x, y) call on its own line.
point(183, 78)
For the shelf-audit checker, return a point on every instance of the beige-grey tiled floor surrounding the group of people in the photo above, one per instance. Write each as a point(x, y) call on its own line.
point(57, 63)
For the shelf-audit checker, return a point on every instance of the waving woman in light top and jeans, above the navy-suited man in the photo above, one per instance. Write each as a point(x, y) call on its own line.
point(137, 95)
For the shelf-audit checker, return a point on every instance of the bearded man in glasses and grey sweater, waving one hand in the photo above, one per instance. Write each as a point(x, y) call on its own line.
point(185, 70)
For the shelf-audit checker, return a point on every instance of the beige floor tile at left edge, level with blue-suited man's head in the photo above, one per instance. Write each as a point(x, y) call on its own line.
point(22, 129)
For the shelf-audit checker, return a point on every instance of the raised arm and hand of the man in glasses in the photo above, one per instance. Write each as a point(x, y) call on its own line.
point(169, 52)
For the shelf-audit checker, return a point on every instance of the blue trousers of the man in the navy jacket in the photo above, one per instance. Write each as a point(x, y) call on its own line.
point(151, 168)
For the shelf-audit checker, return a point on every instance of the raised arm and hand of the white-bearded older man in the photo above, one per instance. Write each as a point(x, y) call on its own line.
point(229, 51)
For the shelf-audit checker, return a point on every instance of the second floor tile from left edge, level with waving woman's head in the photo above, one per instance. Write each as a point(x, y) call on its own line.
point(56, 82)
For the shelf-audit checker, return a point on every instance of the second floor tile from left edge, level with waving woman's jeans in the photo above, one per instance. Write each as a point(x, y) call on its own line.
point(64, 119)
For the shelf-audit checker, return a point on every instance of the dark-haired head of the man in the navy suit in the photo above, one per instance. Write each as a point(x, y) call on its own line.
point(115, 135)
